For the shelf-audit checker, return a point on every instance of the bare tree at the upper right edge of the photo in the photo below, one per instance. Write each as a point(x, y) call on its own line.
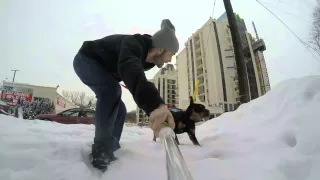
point(315, 30)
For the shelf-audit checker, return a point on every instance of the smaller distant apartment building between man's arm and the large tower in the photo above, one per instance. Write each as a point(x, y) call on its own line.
point(166, 82)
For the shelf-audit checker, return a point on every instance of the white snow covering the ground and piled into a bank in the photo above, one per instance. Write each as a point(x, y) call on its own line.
point(275, 137)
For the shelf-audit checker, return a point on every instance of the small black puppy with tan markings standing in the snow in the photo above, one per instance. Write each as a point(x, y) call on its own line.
point(185, 120)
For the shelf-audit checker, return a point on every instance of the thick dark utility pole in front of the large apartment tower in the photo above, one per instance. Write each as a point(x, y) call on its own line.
point(238, 52)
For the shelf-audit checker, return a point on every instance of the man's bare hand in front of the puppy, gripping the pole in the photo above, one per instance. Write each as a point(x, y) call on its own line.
point(158, 117)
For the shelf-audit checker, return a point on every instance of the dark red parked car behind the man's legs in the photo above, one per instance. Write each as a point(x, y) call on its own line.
point(70, 116)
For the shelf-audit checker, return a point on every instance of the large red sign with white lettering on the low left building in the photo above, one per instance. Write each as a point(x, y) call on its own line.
point(12, 97)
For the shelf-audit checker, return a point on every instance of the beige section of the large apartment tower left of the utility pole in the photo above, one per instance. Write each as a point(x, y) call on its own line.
point(208, 57)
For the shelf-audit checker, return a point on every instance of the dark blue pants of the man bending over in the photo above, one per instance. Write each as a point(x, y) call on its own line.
point(110, 110)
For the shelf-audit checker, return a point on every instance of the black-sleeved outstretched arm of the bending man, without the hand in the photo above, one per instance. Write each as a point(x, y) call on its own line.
point(132, 73)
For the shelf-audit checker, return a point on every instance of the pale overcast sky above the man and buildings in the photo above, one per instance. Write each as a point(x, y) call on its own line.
point(41, 37)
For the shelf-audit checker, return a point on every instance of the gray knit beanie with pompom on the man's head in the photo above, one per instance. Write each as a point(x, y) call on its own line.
point(166, 37)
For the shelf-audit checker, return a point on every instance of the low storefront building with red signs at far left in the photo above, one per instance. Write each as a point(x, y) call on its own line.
point(12, 92)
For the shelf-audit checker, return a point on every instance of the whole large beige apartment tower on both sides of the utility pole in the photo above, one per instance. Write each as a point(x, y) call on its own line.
point(208, 56)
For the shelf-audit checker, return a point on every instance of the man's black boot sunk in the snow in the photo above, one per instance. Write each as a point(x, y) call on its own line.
point(101, 156)
